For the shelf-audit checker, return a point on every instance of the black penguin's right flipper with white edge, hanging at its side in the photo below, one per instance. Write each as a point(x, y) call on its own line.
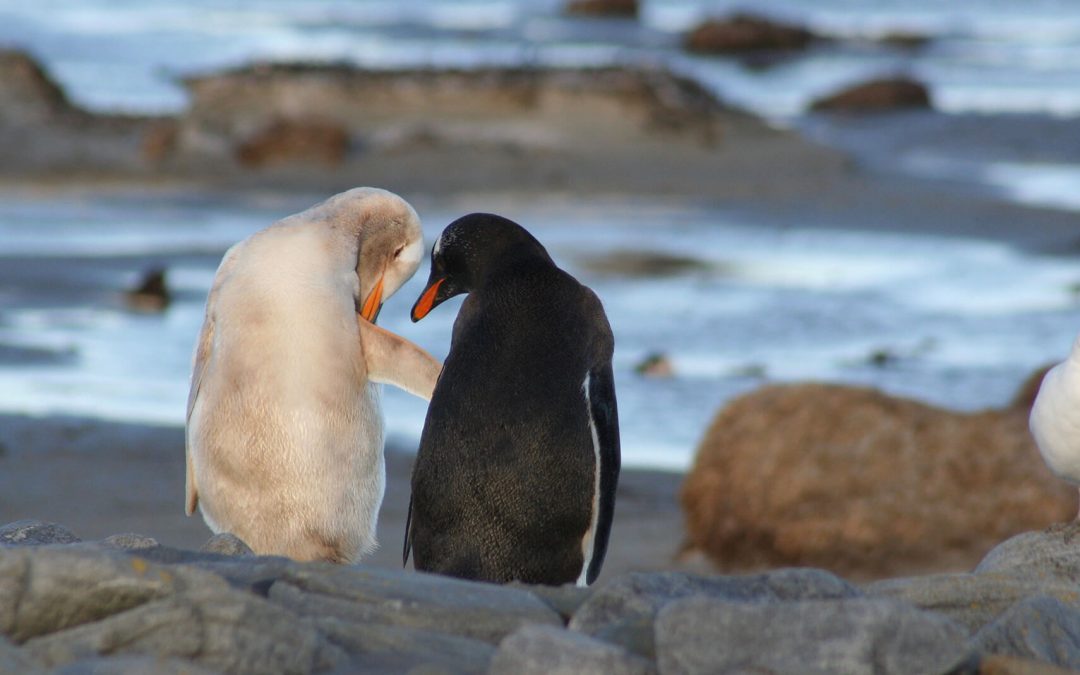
point(605, 417)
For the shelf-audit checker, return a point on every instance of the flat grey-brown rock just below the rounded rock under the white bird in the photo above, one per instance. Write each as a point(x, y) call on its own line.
point(974, 601)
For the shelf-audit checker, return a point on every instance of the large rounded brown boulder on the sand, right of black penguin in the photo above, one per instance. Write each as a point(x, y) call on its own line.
point(865, 484)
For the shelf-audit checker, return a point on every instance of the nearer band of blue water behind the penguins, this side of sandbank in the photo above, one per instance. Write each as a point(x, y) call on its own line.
point(958, 323)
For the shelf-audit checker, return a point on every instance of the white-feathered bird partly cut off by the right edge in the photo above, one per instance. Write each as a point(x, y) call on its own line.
point(1056, 418)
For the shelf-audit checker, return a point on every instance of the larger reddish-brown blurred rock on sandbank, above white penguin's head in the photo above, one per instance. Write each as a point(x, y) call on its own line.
point(286, 142)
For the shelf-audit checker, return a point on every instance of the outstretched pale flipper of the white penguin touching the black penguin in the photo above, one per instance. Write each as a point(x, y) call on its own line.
point(393, 360)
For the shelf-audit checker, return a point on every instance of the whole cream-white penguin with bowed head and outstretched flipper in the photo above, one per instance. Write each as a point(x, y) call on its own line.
point(285, 427)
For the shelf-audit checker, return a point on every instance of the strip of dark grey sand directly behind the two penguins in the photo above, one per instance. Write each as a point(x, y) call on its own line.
point(100, 479)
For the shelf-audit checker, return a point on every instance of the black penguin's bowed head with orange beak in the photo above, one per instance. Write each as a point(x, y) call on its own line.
point(468, 251)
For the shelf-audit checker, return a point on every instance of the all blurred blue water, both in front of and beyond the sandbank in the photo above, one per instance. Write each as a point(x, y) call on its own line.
point(954, 322)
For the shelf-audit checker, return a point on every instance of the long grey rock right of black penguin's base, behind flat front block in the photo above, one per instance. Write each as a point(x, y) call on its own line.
point(623, 611)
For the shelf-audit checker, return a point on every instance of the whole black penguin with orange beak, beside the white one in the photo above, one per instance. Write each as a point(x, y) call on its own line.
point(519, 460)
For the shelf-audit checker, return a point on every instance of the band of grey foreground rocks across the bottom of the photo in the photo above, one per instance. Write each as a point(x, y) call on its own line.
point(127, 604)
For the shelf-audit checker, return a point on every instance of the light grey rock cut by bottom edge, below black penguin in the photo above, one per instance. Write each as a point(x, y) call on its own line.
point(547, 651)
